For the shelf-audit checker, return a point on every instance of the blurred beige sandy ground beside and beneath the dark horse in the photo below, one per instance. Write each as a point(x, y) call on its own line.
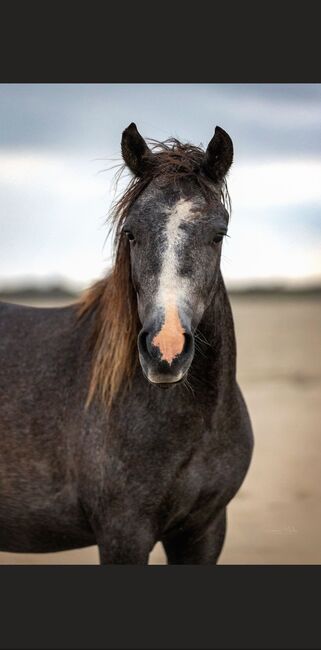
point(276, 516)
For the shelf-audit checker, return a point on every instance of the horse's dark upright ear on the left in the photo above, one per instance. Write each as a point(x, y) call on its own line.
point(135, 151)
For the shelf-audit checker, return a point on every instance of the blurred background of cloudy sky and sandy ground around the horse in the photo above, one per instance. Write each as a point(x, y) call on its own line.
point(59, 145)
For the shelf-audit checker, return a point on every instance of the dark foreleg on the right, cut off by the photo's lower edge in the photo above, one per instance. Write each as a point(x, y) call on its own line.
point(197, 547)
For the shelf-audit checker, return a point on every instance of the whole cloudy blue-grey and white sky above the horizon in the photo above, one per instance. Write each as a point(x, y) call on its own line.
point(59, 142)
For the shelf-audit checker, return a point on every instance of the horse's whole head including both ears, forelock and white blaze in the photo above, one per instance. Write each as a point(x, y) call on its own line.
point(175, 229)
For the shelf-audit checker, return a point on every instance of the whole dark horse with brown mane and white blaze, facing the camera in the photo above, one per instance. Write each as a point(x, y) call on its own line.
point(121, 420)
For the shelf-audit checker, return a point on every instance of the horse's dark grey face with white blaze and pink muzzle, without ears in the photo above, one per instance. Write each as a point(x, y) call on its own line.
point(175, 237)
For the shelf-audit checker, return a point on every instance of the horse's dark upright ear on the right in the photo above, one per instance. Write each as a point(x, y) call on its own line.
point(218, 156)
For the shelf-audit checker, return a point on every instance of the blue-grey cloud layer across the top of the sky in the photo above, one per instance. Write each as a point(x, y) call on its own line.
point(264, 119)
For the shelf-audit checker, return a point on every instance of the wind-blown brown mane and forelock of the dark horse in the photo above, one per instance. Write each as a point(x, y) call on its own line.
point(113, 299)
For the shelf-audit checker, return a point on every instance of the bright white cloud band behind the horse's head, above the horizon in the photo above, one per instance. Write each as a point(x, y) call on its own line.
point(54, 208)
